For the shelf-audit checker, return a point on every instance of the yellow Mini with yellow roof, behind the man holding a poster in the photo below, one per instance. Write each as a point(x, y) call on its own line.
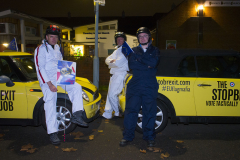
point(22, 99)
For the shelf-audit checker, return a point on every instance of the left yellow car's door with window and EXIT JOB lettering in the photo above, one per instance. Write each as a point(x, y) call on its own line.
point(13, 101)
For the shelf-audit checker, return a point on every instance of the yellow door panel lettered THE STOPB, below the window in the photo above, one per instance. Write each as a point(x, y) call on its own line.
point(217, 97)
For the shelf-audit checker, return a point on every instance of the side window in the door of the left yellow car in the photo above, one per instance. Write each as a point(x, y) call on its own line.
point(5, 69)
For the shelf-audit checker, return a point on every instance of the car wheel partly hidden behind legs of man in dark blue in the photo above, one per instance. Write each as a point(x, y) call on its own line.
point(161, 118)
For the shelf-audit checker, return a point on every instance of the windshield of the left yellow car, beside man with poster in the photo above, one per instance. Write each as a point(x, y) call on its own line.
point(26, 65)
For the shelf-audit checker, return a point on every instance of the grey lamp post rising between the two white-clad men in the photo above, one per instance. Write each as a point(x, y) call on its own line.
point(96, 58)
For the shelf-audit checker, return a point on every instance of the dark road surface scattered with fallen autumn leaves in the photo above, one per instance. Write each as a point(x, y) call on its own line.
point(176, 142)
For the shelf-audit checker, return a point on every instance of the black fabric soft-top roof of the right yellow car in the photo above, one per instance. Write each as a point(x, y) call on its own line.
point(171, 58)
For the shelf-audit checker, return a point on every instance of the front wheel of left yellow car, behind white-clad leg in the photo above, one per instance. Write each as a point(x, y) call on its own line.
point(64, 113)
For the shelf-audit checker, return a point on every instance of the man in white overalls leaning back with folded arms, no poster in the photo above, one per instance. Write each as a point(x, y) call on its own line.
point(118, 65)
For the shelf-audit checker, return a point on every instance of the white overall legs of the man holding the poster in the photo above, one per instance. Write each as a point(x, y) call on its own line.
point(50, 99)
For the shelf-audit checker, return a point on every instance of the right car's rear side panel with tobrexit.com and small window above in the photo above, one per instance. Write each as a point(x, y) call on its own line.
point(180, 88)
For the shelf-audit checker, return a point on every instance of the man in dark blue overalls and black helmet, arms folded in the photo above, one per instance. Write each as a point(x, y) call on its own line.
point(142, 89)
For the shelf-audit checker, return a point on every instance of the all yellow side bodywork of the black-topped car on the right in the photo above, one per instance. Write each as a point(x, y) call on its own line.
point(190, 99)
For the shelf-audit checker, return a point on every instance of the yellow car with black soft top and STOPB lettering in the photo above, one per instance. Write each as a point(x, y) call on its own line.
point(195, 86)
